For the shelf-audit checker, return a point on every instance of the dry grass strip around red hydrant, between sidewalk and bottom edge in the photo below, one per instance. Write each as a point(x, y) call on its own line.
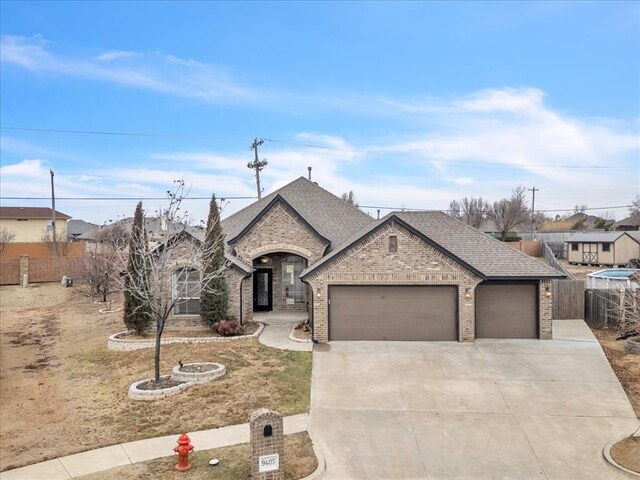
point(299, 461)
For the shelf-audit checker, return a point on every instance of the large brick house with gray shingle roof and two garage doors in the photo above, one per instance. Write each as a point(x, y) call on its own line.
point(407, 276)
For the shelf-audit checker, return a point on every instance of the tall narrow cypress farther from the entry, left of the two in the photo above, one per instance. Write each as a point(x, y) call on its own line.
point(137, 312)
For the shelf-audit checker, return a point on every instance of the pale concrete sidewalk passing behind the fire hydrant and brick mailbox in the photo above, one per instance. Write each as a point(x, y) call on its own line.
point(139, 451)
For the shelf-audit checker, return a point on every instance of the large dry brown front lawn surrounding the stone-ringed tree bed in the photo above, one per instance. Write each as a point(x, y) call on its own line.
point(62, 391)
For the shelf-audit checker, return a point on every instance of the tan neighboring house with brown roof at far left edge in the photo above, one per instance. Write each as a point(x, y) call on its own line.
point(29, 223)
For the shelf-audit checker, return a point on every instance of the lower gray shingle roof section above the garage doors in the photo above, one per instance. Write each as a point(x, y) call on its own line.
point(490, 258)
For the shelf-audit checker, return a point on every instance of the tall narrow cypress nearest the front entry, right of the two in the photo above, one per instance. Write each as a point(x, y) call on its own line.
point(214, 298)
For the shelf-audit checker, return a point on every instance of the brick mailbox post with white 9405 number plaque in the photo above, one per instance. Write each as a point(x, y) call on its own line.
point(267, 445)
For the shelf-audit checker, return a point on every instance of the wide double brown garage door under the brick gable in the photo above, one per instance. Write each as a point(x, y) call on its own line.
point(392, 313)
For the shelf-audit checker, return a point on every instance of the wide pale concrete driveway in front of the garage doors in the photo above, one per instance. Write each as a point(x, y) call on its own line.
point(494, 409)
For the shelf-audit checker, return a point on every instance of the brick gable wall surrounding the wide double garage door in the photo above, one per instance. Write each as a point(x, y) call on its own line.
point(369, 262)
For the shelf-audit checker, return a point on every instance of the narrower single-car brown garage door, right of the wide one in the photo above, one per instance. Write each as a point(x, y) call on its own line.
point(506, 311)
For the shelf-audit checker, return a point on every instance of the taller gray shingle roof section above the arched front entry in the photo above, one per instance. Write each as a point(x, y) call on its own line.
point(330, 216)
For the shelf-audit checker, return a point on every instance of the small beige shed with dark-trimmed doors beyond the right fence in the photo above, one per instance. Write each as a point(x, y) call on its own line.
point(606, 248)
